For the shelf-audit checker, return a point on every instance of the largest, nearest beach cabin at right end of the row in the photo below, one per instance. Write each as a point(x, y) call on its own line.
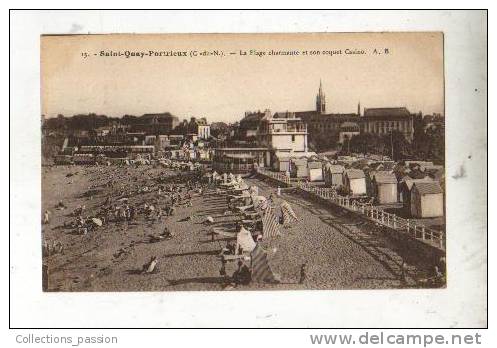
point(427, 200)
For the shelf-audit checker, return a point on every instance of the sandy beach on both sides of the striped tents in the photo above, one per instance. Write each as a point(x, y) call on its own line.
point(340, 251)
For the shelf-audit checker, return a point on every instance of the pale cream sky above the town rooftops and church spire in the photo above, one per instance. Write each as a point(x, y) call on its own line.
point(223, 88)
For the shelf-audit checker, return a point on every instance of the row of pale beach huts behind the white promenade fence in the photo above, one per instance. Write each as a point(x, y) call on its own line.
point(418, 185)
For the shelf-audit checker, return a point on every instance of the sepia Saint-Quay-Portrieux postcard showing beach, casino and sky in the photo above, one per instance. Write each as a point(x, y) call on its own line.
point(243, 161)
